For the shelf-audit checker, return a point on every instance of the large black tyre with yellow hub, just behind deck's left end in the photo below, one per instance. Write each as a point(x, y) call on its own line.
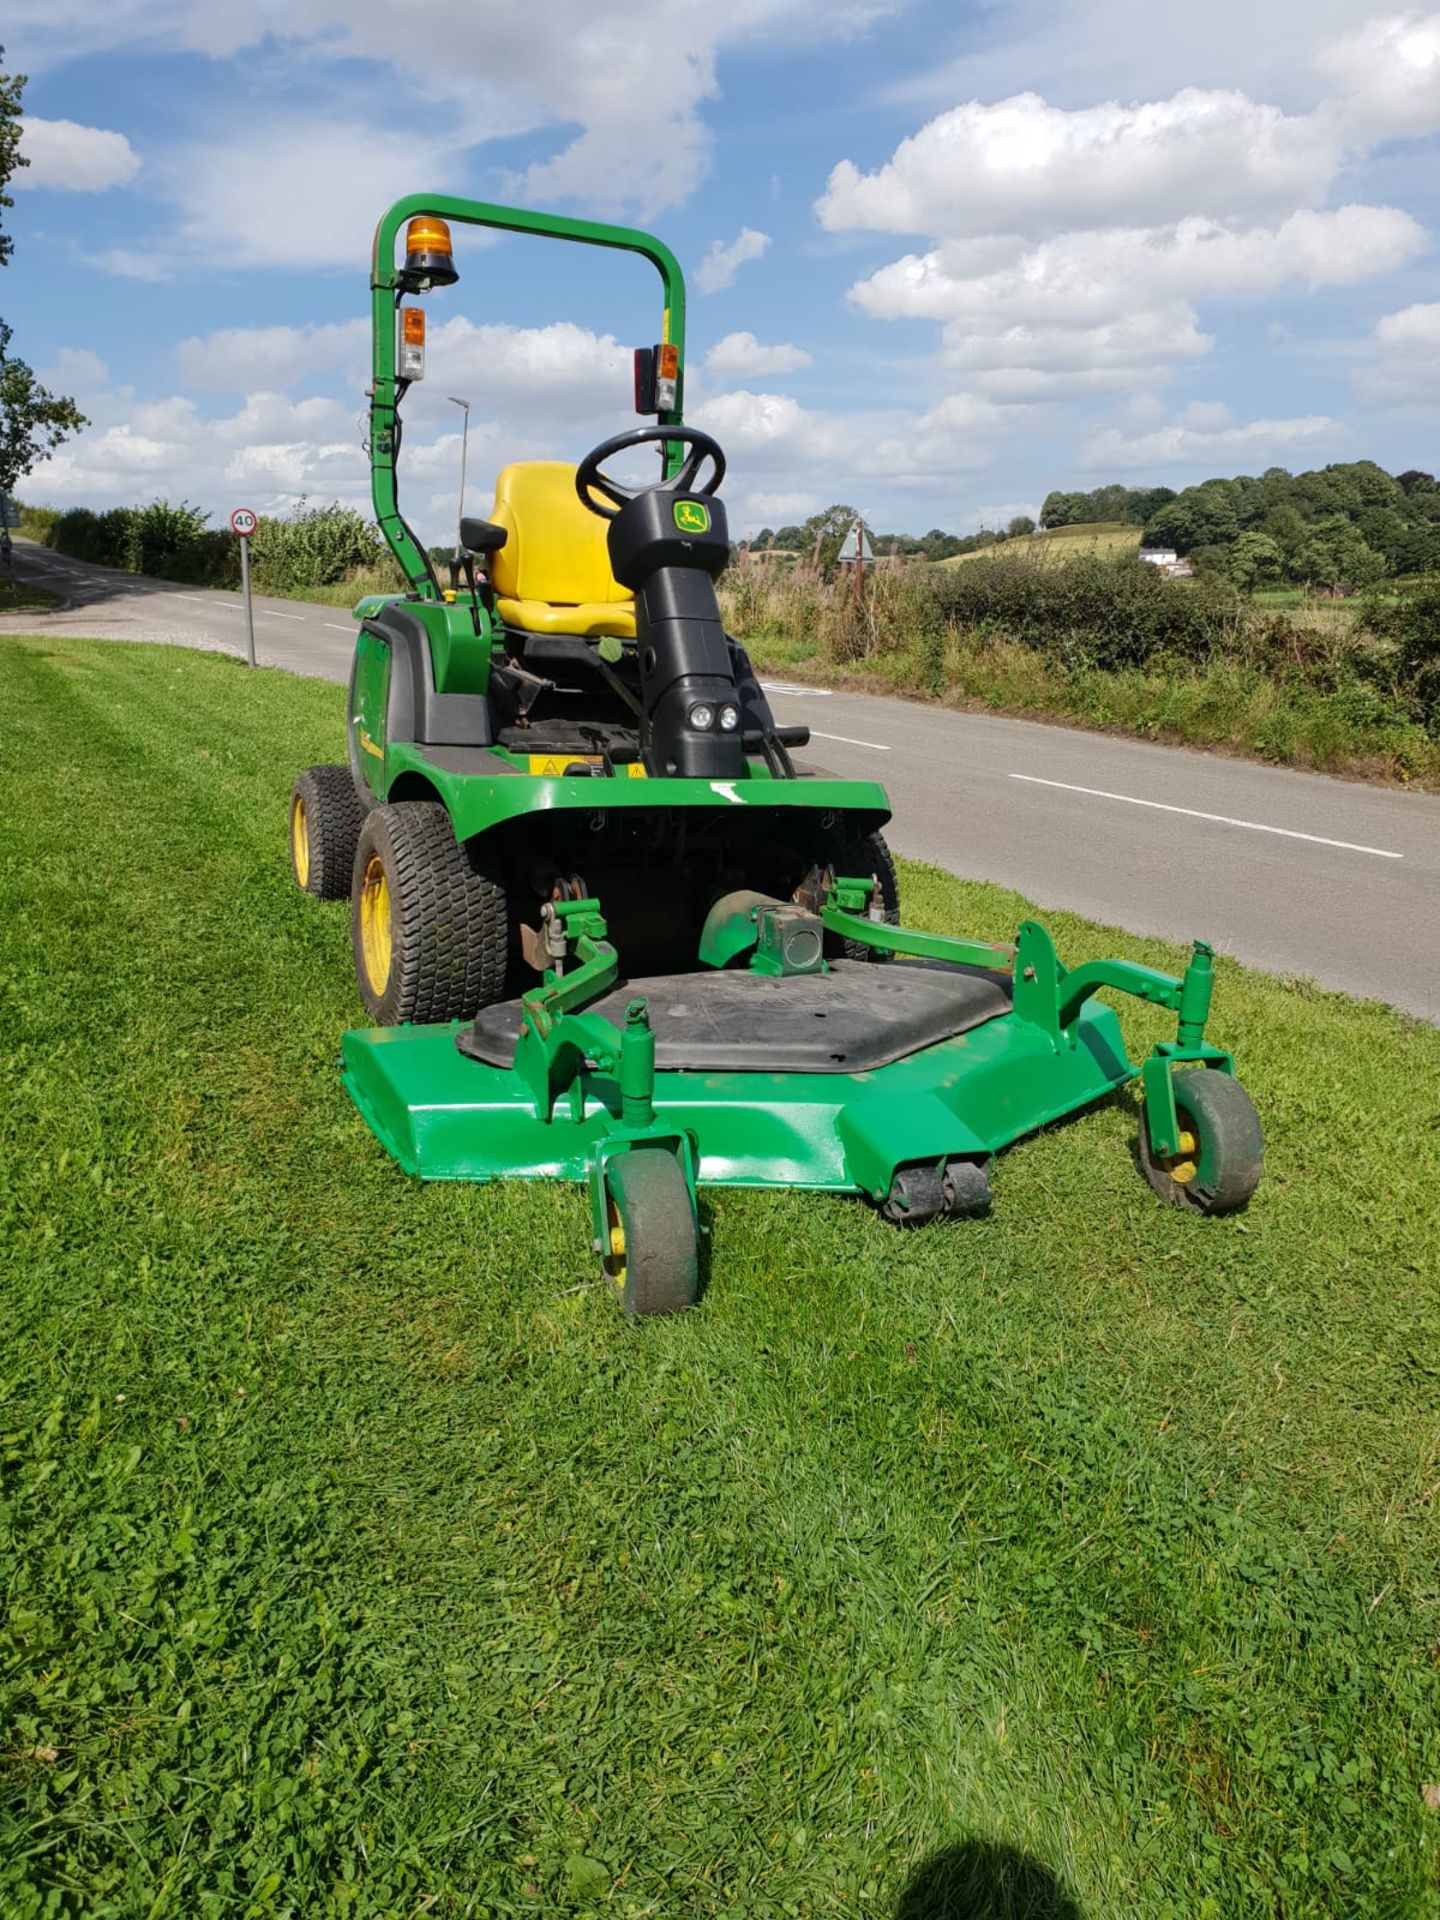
point(431, 932)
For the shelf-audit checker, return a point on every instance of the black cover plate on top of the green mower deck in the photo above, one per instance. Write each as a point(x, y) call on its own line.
point(850, 1020)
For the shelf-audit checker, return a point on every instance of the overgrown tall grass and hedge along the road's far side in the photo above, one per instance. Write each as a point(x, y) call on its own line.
point(1111, 642)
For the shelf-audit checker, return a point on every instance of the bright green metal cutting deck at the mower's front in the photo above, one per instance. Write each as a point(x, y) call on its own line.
point(446, 1115)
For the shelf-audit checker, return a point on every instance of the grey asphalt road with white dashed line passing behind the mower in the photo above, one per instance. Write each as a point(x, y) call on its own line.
point(1291, 873)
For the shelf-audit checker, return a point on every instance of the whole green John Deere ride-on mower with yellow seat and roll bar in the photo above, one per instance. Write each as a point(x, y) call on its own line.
point(613, 932)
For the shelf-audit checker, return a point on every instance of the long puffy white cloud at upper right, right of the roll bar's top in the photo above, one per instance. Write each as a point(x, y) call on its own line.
point(1026, 168)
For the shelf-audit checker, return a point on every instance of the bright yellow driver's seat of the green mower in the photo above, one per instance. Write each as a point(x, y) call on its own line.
point(554, 573)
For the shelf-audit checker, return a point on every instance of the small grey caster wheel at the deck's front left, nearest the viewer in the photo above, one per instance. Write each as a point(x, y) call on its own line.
point(652, 1255)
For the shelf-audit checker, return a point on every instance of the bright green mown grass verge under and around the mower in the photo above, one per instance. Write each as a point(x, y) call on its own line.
point(360, 1560)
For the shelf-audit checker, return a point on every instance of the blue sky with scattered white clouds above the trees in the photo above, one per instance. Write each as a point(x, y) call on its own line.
point(942, 256)
